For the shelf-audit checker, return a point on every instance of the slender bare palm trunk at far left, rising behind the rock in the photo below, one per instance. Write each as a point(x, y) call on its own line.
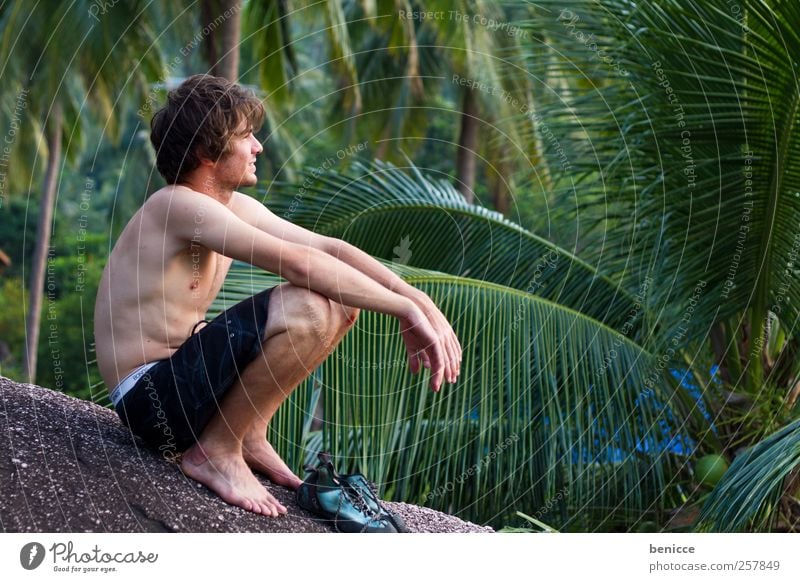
point(43, 231)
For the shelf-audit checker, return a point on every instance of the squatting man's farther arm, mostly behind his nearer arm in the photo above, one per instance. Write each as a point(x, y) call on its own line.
point(256, 214)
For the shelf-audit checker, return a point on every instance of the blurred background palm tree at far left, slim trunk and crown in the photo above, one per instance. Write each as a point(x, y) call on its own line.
point(70, 60)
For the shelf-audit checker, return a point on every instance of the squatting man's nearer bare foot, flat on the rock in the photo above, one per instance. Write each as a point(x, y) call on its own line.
point(228, 476)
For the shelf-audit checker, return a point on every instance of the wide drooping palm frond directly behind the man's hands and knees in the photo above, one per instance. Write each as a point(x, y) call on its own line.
point(538, 409)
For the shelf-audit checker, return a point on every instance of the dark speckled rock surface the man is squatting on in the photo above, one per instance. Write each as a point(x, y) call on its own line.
point(68, 465)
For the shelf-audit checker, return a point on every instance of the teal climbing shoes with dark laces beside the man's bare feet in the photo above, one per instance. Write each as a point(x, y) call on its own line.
point(348, 502)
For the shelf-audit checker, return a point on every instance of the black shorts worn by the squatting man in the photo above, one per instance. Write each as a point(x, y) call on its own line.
point(171, 404)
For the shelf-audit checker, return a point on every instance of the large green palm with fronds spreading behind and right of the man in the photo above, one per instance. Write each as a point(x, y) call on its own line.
point(666, 114)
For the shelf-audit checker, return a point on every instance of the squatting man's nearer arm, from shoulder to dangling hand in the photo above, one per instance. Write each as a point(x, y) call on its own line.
point(202, 220)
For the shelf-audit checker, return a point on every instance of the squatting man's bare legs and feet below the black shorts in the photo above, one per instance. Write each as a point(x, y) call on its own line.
point(292, 348)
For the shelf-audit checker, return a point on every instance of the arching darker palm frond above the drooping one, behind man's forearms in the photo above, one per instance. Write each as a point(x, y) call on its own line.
point(420, 221)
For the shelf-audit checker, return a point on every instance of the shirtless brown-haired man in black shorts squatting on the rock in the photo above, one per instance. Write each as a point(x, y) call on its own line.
point(208, 391)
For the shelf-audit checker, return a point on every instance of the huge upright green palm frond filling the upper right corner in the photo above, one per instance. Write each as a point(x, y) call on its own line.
point(721, 210)
